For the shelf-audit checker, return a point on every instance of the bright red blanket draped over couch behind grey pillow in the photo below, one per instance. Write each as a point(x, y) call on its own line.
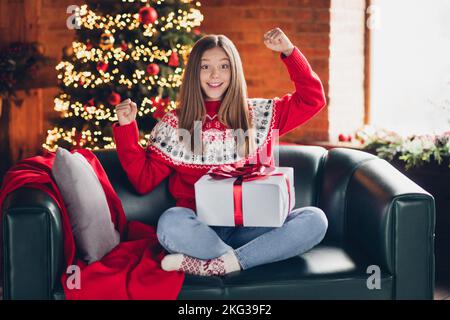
point(131, 270)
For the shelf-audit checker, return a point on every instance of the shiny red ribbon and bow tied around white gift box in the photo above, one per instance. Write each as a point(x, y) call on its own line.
point(247, 172)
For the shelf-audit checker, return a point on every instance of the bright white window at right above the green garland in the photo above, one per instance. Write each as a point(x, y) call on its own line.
point(410, 70)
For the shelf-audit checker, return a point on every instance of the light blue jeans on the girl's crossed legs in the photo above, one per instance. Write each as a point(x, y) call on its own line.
point(179, 231)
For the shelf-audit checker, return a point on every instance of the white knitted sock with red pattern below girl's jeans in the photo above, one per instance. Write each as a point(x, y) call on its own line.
point(212, 267)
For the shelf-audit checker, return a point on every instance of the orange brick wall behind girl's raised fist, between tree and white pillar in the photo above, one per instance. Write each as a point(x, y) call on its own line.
point(306, 22)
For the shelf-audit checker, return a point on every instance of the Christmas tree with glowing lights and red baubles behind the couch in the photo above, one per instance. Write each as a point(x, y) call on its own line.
point(122, 49)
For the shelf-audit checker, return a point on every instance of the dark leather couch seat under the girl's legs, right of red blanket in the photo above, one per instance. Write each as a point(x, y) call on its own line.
point(325, 272)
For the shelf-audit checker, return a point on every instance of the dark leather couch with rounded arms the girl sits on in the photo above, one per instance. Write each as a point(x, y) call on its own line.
point(377, 217)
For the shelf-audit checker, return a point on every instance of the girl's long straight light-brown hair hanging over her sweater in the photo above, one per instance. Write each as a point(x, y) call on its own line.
point(233, 111)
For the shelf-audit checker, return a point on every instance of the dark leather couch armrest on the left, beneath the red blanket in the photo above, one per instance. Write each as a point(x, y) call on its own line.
point(32, 245)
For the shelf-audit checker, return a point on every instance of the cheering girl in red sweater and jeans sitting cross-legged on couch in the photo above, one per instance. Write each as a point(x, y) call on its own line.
point(213, 100)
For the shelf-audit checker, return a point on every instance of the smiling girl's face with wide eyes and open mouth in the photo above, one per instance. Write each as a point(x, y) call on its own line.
point(215, 73)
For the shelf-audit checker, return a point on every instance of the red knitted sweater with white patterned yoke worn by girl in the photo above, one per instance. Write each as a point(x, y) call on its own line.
point(165, 157)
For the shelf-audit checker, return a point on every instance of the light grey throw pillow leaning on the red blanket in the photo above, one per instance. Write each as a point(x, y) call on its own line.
point(86, 205)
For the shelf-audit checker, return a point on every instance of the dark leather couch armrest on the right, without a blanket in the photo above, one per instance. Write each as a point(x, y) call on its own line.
point(391, 220)
